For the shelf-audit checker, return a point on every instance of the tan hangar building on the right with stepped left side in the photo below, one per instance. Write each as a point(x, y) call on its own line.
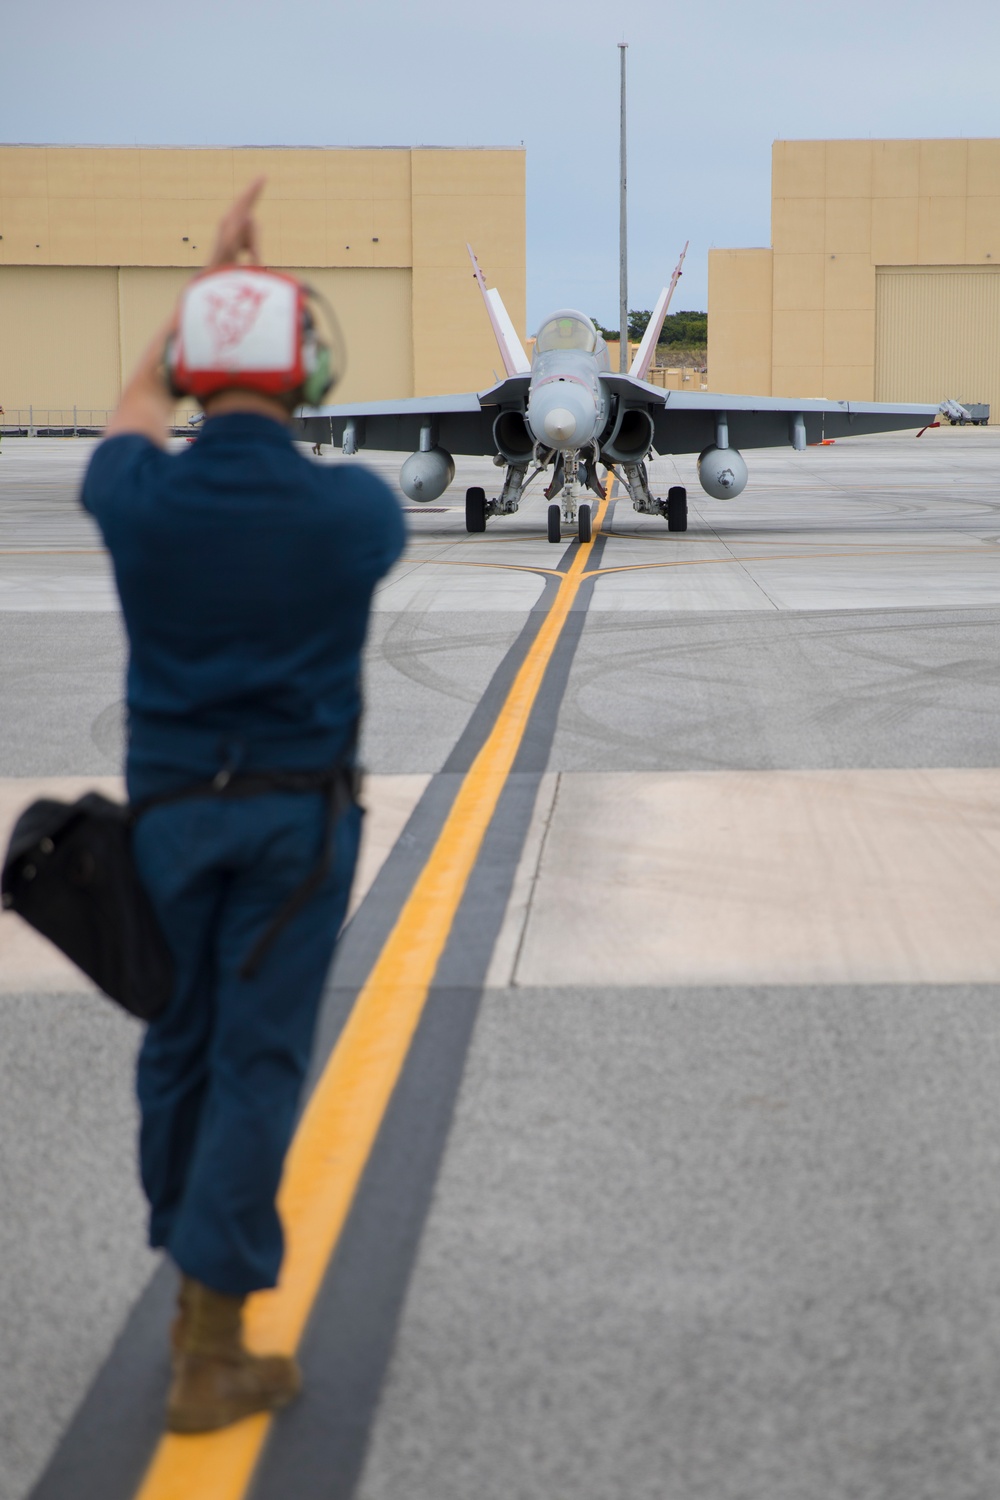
point(882, 281)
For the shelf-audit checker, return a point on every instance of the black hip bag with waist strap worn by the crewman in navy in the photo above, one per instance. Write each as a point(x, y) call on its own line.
point(70, 872)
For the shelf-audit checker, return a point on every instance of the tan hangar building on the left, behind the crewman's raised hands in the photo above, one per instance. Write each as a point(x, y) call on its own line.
point(97, 244)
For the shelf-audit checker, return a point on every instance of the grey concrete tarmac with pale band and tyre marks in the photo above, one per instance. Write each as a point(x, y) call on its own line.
point(713, 1204)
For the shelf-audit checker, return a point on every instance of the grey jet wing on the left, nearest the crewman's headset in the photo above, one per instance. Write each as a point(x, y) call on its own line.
point(460, 424)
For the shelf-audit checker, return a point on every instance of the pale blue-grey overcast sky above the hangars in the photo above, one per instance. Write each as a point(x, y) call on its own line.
point(711, 86)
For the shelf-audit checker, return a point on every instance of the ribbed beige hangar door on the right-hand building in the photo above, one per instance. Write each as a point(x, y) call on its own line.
point(938, 334)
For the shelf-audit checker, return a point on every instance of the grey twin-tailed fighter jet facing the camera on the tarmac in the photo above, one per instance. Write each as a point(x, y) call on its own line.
point(566, 410)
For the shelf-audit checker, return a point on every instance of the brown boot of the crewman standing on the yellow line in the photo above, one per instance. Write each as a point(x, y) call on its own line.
point(217, 1379)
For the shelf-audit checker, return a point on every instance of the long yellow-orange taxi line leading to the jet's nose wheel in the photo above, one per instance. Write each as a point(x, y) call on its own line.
point(338, 1130)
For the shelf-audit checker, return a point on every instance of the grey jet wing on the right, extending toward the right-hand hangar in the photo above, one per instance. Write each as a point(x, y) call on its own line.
point(684, 421)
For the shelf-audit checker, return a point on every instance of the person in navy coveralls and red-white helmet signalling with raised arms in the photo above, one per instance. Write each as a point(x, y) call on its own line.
point(245, 575)
